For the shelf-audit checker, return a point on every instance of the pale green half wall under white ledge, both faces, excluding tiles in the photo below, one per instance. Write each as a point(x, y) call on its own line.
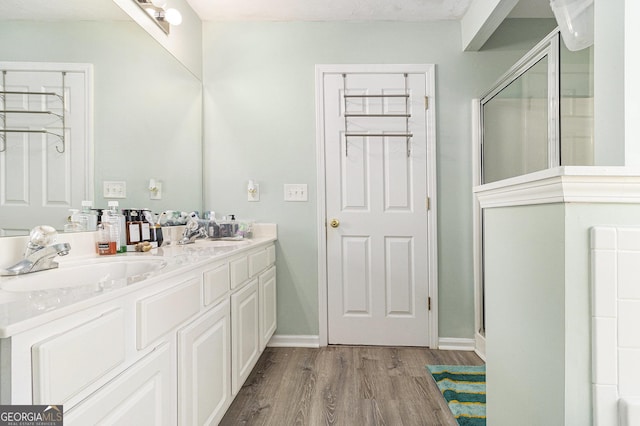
point(538, 309)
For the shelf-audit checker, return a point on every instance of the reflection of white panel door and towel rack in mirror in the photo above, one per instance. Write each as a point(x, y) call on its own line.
point(40, 177)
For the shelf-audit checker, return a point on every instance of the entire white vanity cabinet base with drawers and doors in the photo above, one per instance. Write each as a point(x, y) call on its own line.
point(175, 351)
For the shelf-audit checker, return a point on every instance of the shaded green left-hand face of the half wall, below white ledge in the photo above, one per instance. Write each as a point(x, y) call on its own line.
point(524, 312)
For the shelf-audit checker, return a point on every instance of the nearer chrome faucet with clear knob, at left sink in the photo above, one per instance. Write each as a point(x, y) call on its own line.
point(40, 253)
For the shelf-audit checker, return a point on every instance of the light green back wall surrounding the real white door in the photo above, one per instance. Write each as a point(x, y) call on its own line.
point(259, 103)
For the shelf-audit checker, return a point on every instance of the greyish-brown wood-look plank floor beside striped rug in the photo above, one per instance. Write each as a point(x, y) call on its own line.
point(345, 385)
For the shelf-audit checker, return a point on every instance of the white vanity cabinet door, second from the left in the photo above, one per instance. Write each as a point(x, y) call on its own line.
point(204, 367)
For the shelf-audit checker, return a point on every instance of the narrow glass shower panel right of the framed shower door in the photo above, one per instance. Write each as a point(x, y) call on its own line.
point(576, 107)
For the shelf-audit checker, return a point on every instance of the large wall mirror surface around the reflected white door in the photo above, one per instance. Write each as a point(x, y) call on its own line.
point(147, 107)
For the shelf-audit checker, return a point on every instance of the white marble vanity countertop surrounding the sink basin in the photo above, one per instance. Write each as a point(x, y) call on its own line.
point(24, 310)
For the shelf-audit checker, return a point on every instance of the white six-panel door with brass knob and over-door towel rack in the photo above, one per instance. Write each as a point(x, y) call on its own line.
point(376, 190)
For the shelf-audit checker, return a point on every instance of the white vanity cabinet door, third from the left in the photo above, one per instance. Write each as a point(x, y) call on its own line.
point(245, 333)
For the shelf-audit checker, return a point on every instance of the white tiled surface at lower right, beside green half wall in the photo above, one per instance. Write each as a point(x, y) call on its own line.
point(615, 315)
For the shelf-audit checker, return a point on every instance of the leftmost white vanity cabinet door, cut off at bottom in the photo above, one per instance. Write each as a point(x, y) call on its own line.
point(143, 395)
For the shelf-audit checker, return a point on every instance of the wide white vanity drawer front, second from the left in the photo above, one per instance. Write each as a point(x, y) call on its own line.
point(158, 314)
